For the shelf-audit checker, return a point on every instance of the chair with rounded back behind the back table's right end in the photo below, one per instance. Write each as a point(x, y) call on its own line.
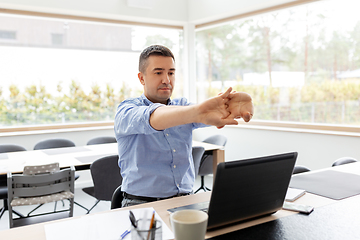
point(206, 164)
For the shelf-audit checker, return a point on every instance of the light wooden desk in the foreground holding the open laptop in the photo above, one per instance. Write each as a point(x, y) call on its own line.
point(263, 227)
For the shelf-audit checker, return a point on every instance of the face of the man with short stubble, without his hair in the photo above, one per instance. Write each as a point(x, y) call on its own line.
point(158, 79)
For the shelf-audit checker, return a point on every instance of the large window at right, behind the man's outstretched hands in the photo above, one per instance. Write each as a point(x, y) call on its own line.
point(300, 64)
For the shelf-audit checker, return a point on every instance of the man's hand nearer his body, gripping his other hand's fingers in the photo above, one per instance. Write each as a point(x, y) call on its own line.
point(214, 111)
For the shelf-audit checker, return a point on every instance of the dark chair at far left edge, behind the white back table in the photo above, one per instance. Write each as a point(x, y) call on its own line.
point(5, 148)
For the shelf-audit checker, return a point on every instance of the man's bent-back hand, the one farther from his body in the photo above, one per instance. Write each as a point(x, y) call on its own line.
point(240, 106)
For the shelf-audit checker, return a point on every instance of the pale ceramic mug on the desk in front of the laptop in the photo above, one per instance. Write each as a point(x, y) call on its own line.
point(189, 224)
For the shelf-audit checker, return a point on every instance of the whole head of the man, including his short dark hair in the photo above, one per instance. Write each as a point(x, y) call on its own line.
point(157, 73)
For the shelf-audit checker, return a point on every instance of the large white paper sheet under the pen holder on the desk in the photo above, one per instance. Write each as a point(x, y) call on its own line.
point(104, 226)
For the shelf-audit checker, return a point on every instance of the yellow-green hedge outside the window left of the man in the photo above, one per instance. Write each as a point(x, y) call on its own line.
point(36, 106)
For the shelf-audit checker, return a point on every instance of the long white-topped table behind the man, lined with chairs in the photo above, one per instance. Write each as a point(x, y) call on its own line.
point(79, 157)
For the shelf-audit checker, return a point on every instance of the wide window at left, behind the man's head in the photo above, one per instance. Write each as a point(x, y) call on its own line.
point(67, 71)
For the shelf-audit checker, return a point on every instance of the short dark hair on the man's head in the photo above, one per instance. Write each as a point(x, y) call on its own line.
point(153, 50)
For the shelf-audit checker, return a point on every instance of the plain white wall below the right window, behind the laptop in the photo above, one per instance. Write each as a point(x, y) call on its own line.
point(316, 151)
